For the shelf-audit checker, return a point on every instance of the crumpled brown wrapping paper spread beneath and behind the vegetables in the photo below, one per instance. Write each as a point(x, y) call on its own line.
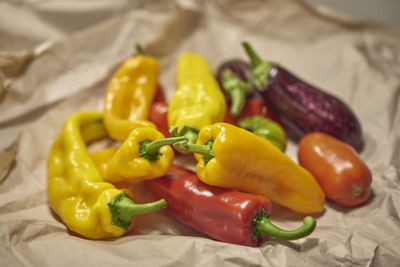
point(62, 63)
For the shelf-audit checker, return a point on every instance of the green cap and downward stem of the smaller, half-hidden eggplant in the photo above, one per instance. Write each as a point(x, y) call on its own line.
point(237, 89)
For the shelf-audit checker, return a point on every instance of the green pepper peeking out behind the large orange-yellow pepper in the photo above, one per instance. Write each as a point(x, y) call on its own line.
point(266, 128)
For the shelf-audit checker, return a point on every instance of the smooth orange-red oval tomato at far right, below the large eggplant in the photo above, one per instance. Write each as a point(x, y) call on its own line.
point(336, 166)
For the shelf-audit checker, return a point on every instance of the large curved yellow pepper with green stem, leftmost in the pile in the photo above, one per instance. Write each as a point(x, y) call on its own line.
point(85, 203)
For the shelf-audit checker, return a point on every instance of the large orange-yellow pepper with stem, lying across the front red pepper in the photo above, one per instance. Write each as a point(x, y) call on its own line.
point(231, 157)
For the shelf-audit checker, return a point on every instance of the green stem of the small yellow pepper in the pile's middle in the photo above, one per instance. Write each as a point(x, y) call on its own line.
point(150, 150)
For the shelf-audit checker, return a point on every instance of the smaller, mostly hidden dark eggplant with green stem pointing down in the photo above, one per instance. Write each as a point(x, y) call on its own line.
point(234, 78)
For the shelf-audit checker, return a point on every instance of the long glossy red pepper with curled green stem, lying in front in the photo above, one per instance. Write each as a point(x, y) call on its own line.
point(223, 214)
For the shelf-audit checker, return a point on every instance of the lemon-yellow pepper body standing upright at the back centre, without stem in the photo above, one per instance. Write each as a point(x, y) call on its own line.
point(198, 100)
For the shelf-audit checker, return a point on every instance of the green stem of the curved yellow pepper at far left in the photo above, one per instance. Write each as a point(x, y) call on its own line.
point(123, 209)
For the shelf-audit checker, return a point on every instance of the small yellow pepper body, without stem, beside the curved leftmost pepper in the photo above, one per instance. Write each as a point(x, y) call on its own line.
point(126, 164)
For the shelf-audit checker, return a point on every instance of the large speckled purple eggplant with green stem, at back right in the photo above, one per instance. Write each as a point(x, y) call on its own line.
point(301, 107)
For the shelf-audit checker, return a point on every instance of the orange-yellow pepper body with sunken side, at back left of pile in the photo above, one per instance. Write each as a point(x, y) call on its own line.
point(129, 96)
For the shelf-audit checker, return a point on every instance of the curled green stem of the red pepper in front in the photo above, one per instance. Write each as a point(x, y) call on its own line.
point(263, 226)
